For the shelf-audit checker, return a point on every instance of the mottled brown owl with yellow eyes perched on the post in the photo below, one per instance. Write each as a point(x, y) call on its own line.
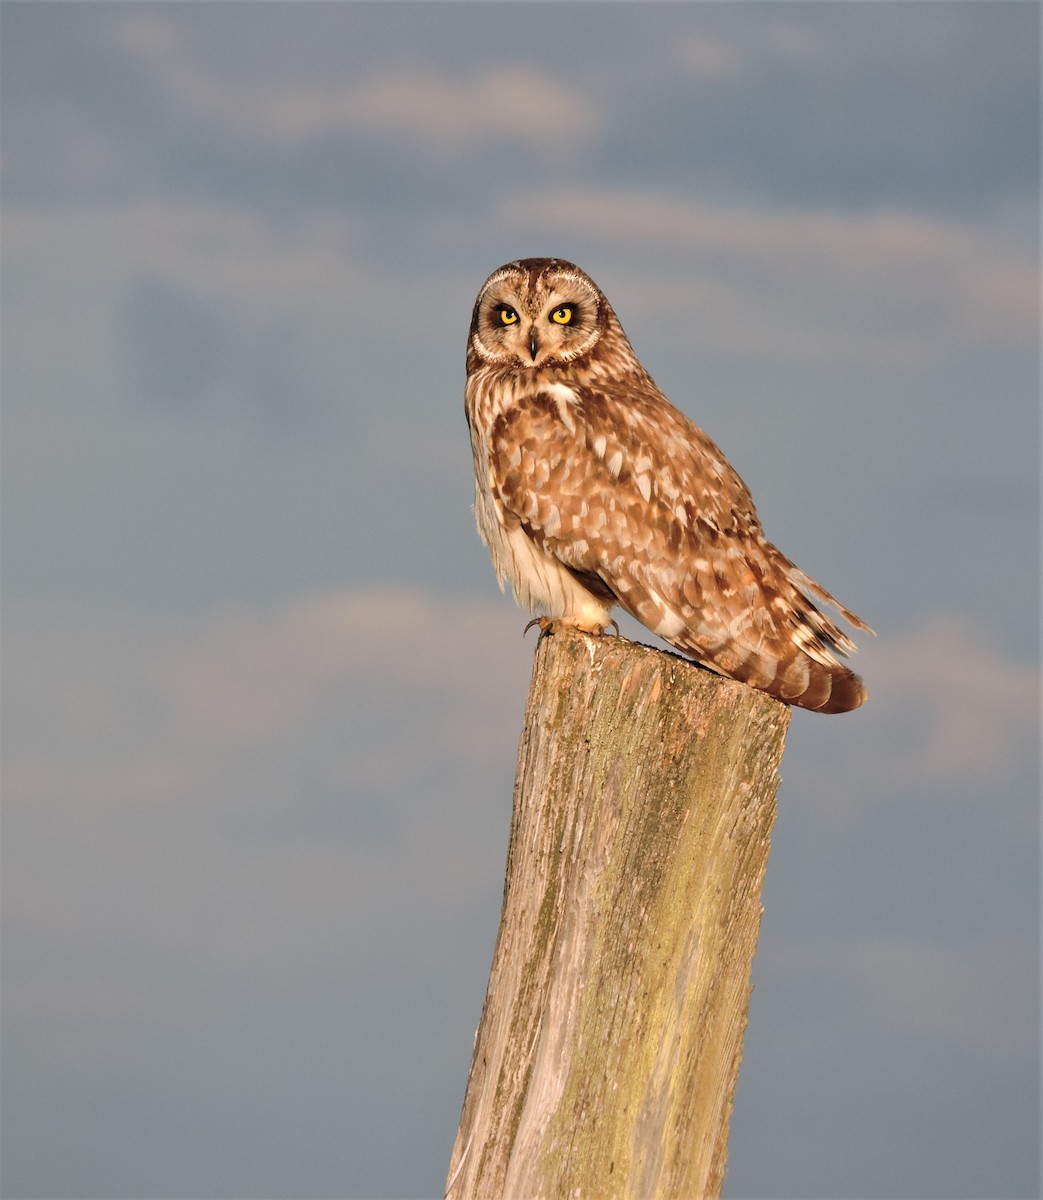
point(592, 490)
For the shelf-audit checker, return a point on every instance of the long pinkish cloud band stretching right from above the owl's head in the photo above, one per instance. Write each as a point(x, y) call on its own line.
point(824, 285)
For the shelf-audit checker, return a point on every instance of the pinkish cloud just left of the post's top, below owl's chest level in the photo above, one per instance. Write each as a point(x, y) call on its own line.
point(247, 677)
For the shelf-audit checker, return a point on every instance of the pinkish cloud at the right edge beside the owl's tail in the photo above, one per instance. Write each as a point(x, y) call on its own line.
point(949, 735)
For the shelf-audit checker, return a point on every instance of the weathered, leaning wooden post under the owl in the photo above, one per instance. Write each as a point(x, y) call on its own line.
point(610, 1042)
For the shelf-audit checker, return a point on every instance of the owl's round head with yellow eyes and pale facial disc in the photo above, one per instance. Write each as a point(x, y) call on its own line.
point(538, 313)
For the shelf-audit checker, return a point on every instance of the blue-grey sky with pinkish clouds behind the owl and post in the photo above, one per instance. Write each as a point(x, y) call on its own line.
point(262, 697)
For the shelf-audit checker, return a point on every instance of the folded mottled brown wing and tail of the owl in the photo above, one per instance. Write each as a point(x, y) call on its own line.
point(621, 488)
